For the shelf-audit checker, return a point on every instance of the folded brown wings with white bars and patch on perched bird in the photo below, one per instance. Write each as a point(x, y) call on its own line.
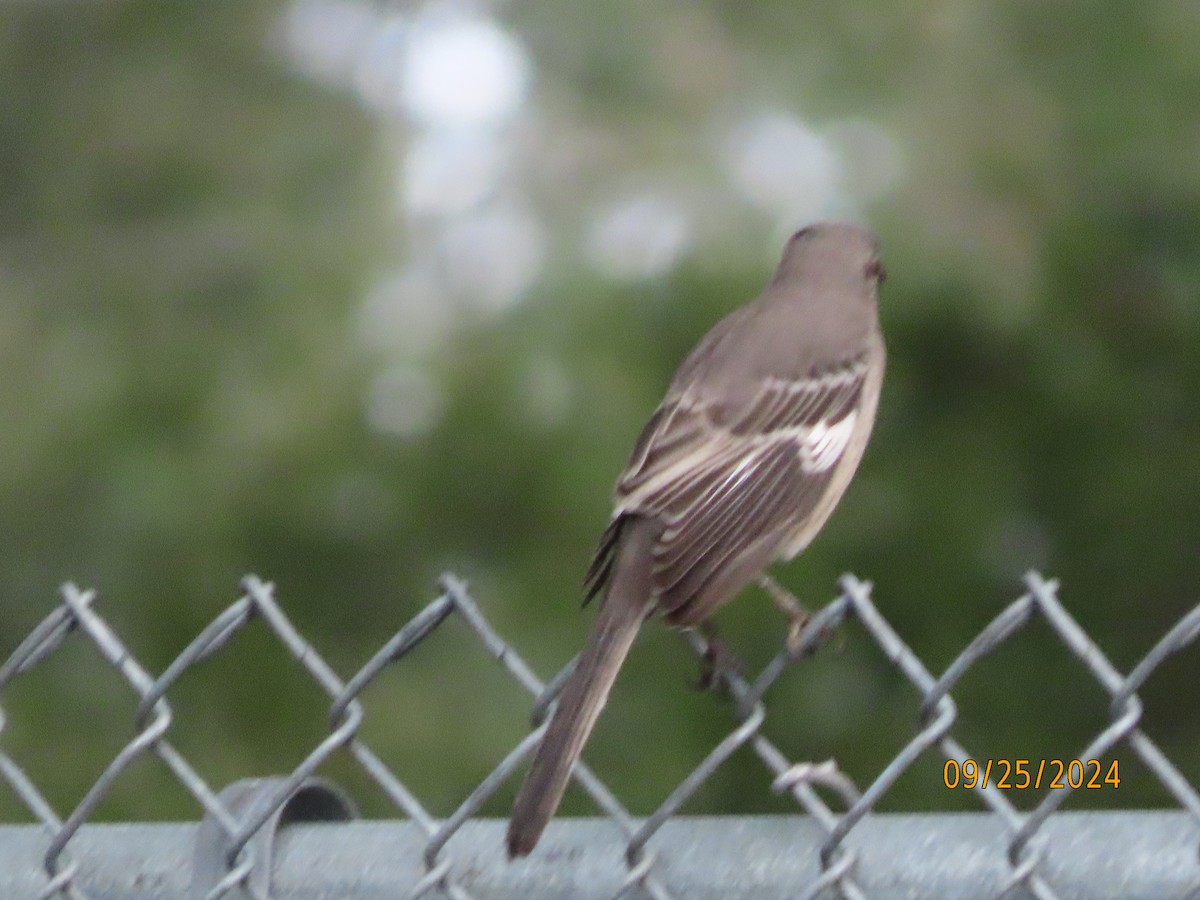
point(723, 479)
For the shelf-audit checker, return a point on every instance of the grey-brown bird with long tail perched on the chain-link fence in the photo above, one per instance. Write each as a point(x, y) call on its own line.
point(760, 433)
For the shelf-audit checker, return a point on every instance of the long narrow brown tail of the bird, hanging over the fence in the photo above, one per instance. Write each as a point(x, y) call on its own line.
point(628, 602)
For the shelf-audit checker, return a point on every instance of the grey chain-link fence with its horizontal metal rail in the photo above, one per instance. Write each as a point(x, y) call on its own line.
point(299, 836)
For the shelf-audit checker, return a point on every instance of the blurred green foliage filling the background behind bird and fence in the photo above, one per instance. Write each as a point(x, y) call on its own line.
point(189, 227)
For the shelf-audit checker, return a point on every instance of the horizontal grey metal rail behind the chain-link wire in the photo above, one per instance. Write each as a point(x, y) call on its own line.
point(1100, 855)
